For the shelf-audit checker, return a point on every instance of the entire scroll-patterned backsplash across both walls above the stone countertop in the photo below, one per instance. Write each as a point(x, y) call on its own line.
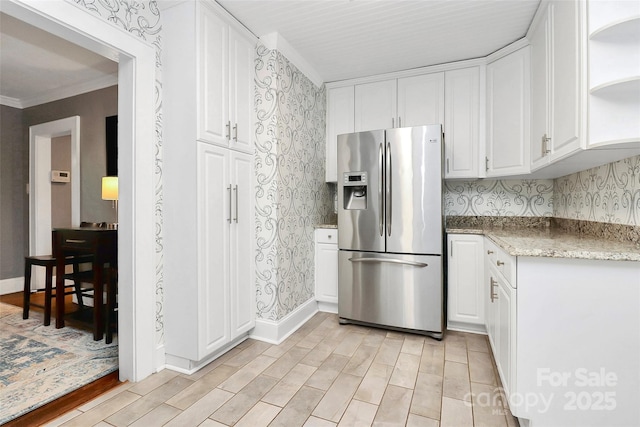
point(609, 193)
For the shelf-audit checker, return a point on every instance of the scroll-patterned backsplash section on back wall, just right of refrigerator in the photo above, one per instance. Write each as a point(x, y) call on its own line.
point(522, 197)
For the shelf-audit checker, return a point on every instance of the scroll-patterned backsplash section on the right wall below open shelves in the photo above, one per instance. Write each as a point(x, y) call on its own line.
point(609, 193)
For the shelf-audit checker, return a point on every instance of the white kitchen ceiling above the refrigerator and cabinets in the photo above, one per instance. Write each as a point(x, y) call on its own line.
point(344, 39)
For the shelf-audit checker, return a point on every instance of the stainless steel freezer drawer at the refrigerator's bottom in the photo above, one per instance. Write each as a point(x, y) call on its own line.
point(401, 291)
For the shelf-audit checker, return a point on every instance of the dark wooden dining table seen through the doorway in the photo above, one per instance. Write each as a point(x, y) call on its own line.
point(102, 245)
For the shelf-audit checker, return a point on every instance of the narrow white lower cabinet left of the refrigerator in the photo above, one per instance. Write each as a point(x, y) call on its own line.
point(326, 269)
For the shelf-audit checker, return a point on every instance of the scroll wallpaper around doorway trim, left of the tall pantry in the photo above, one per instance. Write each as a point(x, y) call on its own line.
point(142, 19)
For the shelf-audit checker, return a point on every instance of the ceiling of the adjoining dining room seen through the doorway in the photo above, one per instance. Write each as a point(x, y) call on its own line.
point(38, 67)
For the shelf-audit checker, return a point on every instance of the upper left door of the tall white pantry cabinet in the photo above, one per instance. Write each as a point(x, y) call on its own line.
point(213, 96)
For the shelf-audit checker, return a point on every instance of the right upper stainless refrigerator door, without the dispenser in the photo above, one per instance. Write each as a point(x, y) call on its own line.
point(413, 190)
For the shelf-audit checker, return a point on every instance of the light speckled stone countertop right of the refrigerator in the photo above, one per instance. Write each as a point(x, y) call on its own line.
point(550, 242)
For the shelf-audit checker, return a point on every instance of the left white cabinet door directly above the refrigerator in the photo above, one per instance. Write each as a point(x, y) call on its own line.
point(375, 105)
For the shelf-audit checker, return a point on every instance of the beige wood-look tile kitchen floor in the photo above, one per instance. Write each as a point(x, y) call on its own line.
point(325, 374)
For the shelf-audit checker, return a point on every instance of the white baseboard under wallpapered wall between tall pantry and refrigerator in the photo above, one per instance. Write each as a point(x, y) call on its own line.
point(274, 332)
